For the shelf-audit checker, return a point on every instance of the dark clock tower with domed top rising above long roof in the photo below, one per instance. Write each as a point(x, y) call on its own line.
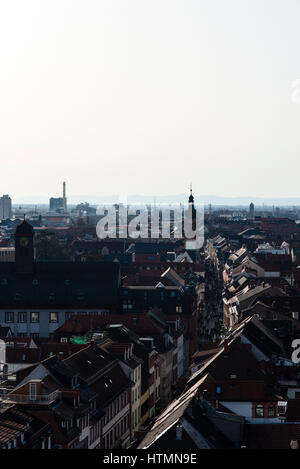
point(24, 251)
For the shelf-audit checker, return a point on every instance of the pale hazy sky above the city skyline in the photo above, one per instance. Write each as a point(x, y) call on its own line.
point(144, 96)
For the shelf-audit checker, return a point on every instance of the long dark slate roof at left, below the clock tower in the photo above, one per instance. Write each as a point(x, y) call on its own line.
point(61, 284)
